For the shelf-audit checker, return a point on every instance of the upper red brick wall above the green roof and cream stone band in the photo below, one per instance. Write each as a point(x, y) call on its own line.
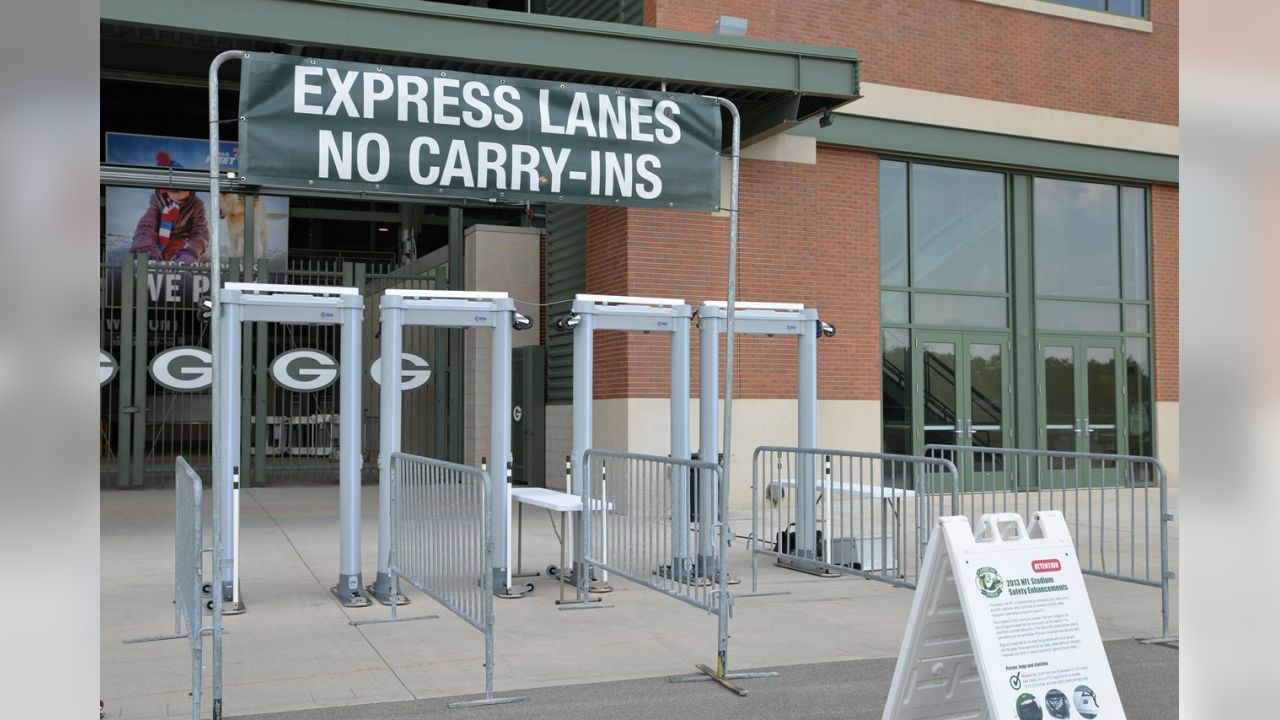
point(975, 49)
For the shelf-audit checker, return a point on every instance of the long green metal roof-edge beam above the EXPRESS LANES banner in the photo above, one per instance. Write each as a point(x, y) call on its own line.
point(500, 39)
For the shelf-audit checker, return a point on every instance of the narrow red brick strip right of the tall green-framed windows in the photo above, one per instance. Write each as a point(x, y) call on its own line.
point(1164, 250)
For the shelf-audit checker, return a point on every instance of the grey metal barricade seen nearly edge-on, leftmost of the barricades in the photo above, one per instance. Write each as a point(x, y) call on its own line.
point(193, 594)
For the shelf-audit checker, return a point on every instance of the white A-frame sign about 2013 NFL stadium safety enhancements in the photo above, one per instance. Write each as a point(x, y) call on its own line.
point(1002, 628)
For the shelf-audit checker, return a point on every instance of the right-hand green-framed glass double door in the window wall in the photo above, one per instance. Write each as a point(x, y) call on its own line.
point(1082, 402)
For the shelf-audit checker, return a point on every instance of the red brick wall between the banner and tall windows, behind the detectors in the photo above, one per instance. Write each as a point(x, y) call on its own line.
point(808, 234)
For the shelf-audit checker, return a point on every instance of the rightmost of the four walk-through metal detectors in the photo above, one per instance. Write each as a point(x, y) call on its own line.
point(762, 320)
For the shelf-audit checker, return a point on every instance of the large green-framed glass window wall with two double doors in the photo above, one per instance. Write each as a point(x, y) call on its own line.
point(966, 253)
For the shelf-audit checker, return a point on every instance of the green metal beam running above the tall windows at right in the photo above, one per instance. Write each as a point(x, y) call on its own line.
point(993, 149)
